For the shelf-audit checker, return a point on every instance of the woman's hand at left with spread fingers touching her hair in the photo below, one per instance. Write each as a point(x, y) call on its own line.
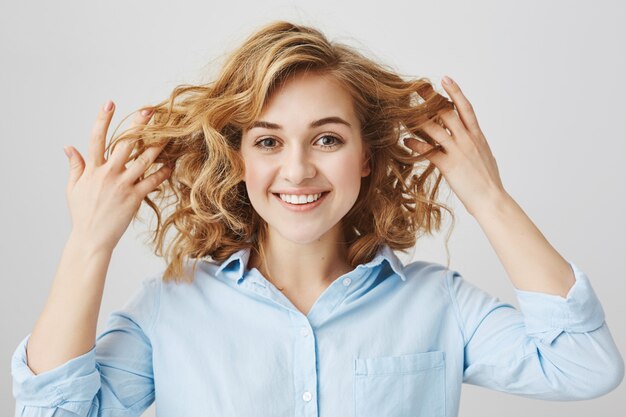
point(103, 195)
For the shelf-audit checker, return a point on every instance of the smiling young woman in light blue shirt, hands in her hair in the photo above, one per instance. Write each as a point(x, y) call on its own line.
point(295, 176)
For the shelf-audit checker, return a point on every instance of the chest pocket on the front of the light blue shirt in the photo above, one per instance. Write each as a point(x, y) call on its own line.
point(400, 386)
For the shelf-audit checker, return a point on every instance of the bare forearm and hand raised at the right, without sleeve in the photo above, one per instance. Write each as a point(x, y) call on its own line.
point(472, 173)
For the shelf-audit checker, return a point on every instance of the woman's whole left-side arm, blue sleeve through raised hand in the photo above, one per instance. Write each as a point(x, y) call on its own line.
point(55, 367)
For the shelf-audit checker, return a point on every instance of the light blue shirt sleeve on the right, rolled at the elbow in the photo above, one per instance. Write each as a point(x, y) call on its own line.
point(555, 348)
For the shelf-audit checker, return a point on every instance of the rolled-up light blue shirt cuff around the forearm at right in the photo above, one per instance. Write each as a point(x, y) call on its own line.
point(547, 314)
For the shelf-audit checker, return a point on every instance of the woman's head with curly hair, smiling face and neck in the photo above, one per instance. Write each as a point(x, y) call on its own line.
point(251, 126)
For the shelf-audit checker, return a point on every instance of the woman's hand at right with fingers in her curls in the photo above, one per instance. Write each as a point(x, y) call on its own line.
point(467, 164)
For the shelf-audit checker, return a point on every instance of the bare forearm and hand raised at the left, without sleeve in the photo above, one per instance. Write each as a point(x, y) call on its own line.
point(95, 190)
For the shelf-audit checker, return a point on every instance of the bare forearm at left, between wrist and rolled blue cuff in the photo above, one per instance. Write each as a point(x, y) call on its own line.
point(67, 326)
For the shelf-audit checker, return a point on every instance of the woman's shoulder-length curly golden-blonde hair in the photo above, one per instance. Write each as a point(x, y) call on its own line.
point(201, 128)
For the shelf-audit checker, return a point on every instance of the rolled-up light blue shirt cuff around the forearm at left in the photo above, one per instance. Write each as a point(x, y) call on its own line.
point(77, 380)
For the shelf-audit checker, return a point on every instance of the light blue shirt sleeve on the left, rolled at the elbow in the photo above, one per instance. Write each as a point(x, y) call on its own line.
point(114, 378)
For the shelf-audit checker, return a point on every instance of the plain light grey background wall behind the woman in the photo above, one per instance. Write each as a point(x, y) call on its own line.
point(546, 80)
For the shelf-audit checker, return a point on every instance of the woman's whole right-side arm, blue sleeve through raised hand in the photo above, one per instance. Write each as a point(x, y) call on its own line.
point(558, 346)
